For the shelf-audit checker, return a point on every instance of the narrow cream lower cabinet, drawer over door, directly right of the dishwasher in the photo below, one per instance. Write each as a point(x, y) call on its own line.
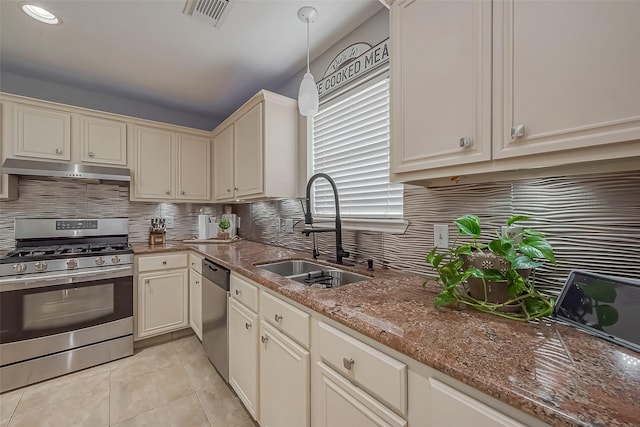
point(244, 330)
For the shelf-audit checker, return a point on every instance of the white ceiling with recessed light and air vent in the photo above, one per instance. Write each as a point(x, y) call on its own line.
point(148, 50)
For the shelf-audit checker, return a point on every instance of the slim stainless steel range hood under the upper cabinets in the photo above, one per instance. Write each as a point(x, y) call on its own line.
point(66, 170)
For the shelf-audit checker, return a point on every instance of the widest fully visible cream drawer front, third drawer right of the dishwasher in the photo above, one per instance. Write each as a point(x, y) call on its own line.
point(379, 374)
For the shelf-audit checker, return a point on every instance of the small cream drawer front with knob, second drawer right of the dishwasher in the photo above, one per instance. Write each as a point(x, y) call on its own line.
point(287, 318)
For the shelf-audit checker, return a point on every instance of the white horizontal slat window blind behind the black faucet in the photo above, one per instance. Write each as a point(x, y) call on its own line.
point(351, 144)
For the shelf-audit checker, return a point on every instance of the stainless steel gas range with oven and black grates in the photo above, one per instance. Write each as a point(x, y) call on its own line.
point(66, 298)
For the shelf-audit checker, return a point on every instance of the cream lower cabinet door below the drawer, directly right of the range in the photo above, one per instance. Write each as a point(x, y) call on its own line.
point(162, 302)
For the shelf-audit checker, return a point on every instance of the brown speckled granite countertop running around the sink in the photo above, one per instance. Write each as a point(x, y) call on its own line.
point(549, 370)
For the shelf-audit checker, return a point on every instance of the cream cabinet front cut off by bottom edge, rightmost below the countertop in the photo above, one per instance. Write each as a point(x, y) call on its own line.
point(449, 407)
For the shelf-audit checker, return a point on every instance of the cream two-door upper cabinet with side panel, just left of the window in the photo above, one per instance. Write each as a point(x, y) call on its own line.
point(256, 150)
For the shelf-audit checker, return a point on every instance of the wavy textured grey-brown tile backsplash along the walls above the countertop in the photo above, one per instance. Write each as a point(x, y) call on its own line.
point(593, 221)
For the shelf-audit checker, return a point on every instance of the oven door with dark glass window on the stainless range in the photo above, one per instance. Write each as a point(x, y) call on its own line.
point(35, 307)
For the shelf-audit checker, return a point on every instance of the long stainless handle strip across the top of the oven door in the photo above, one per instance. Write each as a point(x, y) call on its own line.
point(39, 281)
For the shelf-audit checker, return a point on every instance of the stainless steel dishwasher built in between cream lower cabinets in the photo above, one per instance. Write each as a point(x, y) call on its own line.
point(215, 294)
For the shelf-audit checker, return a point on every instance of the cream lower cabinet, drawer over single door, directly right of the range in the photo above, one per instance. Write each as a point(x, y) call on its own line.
point(162, 294)
